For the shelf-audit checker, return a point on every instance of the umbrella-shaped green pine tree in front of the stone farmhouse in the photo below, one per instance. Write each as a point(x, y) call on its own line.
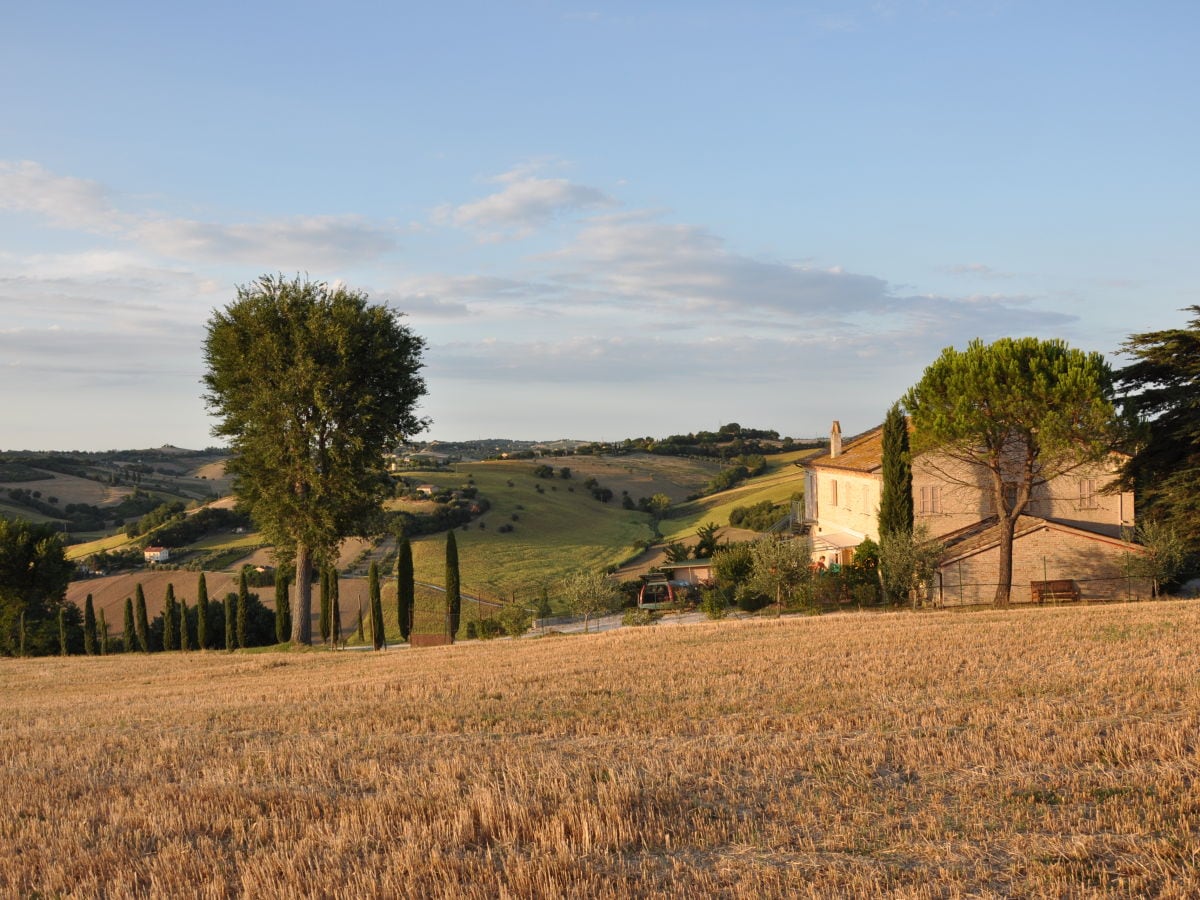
point(1013, 416)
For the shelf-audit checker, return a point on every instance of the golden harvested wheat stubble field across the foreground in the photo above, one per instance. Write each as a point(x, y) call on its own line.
point(1046, 752)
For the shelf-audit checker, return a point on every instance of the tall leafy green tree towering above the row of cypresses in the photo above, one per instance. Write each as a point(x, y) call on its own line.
point(311, 386)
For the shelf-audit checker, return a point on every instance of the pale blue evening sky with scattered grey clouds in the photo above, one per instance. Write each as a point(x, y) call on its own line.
point(607, 220)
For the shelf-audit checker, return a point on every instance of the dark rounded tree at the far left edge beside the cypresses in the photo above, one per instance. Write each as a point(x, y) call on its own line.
point(34, 575)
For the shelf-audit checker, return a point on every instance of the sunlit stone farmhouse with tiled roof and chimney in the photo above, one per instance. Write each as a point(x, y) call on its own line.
point(1067, 547)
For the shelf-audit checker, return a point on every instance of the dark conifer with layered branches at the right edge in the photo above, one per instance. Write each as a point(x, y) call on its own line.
point(1162, 389)
